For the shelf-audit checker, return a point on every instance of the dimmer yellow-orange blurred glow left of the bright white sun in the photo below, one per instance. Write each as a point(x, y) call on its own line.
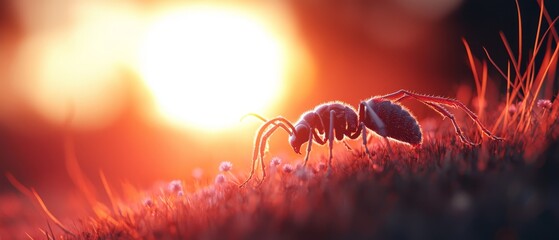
point(79, 64)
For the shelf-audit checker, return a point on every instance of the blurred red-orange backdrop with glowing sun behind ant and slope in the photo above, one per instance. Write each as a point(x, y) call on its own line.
point(156, 88)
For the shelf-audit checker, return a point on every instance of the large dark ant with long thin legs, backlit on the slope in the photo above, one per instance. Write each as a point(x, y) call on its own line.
point(384, 115)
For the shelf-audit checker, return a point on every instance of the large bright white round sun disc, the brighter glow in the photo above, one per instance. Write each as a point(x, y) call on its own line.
point(207, 66)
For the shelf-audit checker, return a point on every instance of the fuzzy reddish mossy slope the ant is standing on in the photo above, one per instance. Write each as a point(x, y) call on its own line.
point(443, 189)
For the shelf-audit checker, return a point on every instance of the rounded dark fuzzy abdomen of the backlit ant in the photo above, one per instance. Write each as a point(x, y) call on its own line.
point(399, 123)
